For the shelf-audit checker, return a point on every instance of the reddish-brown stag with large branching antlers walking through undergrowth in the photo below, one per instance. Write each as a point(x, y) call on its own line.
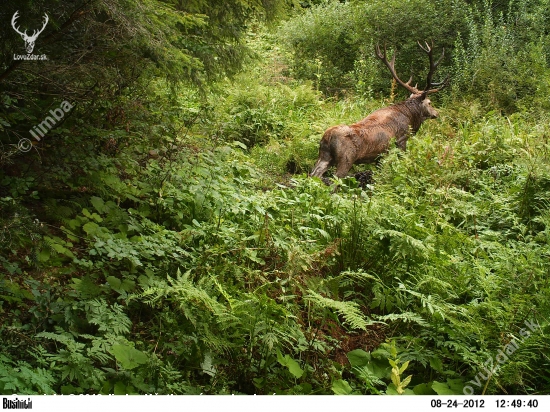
point(362, 142)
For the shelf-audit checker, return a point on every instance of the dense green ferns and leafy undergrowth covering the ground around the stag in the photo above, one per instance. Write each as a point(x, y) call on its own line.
point(184, 250)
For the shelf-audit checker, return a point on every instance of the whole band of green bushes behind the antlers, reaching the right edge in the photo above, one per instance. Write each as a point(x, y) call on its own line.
point(497, 53)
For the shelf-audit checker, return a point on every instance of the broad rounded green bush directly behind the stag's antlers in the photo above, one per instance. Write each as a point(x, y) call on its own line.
point(333, 43)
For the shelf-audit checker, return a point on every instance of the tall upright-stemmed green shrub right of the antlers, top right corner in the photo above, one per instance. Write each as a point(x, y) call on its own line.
point(502, 61)
